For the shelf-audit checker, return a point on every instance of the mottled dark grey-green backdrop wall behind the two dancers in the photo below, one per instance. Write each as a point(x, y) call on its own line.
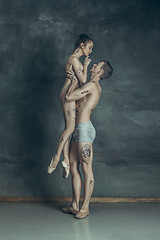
point(36, 38)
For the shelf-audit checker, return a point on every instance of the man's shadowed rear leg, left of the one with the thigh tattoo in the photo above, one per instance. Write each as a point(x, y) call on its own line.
point(76, 180)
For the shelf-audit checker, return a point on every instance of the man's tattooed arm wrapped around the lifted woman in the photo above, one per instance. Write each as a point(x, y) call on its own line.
point(81, 92)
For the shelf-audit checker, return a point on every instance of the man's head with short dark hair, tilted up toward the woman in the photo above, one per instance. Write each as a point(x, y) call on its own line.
point(103, 69)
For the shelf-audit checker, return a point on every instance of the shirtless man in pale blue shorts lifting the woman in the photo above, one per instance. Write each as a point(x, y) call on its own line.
point(81, 151)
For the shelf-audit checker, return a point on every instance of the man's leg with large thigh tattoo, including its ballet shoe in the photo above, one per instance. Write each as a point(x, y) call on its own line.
point(85, 152)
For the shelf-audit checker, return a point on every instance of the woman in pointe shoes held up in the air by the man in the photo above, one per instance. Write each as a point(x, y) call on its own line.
point(76, 73)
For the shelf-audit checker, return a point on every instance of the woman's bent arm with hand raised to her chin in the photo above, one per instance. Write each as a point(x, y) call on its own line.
point(81, 75)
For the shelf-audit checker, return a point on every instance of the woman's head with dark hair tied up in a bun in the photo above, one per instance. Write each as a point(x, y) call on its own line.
point(85, 43)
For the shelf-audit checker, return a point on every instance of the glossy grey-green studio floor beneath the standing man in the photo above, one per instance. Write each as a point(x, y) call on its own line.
point(108, 221)
